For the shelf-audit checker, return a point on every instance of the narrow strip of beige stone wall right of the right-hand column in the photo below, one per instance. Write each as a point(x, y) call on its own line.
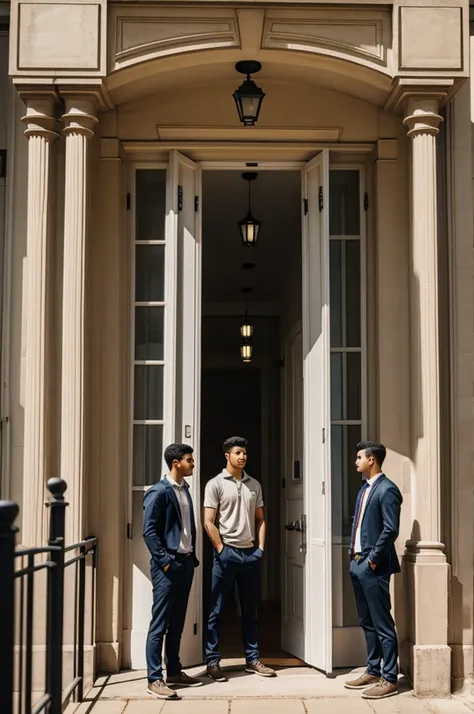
point(461, 524)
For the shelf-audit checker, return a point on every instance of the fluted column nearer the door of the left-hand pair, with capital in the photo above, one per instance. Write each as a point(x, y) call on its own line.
point(79, 119)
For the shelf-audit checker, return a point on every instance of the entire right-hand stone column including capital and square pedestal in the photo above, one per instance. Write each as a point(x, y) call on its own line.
point(426, 569)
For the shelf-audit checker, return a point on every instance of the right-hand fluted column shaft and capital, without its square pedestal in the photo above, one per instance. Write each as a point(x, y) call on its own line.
point(422, 120)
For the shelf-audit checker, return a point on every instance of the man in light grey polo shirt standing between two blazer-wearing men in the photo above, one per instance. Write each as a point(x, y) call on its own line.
point(234, 520)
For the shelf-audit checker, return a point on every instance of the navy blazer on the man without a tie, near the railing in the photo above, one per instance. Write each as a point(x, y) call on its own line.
point(162, 524)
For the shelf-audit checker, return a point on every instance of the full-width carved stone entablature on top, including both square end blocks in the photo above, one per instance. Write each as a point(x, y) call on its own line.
point(91, 39)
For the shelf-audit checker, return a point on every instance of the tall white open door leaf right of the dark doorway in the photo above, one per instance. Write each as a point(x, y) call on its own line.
point(314, 500)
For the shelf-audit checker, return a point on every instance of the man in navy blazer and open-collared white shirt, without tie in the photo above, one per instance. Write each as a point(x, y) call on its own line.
point(169, 530)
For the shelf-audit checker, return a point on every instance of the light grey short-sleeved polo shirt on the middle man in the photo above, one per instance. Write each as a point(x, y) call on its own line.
point(235, 502)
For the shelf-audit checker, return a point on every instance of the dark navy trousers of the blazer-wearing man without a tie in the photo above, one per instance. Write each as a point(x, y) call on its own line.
point(170, 601)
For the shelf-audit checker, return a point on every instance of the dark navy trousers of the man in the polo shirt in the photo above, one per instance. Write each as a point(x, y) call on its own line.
point(241, 566)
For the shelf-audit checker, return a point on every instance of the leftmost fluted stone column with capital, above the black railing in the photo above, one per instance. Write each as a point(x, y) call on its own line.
point(40, 123)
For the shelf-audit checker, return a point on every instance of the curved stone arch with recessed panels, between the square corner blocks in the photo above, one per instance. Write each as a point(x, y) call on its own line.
point(151, 46)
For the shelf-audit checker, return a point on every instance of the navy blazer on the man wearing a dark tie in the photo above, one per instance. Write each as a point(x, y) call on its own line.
point(380, 525)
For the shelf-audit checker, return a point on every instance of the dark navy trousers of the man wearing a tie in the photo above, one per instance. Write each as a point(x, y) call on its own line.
point(372, 595)
